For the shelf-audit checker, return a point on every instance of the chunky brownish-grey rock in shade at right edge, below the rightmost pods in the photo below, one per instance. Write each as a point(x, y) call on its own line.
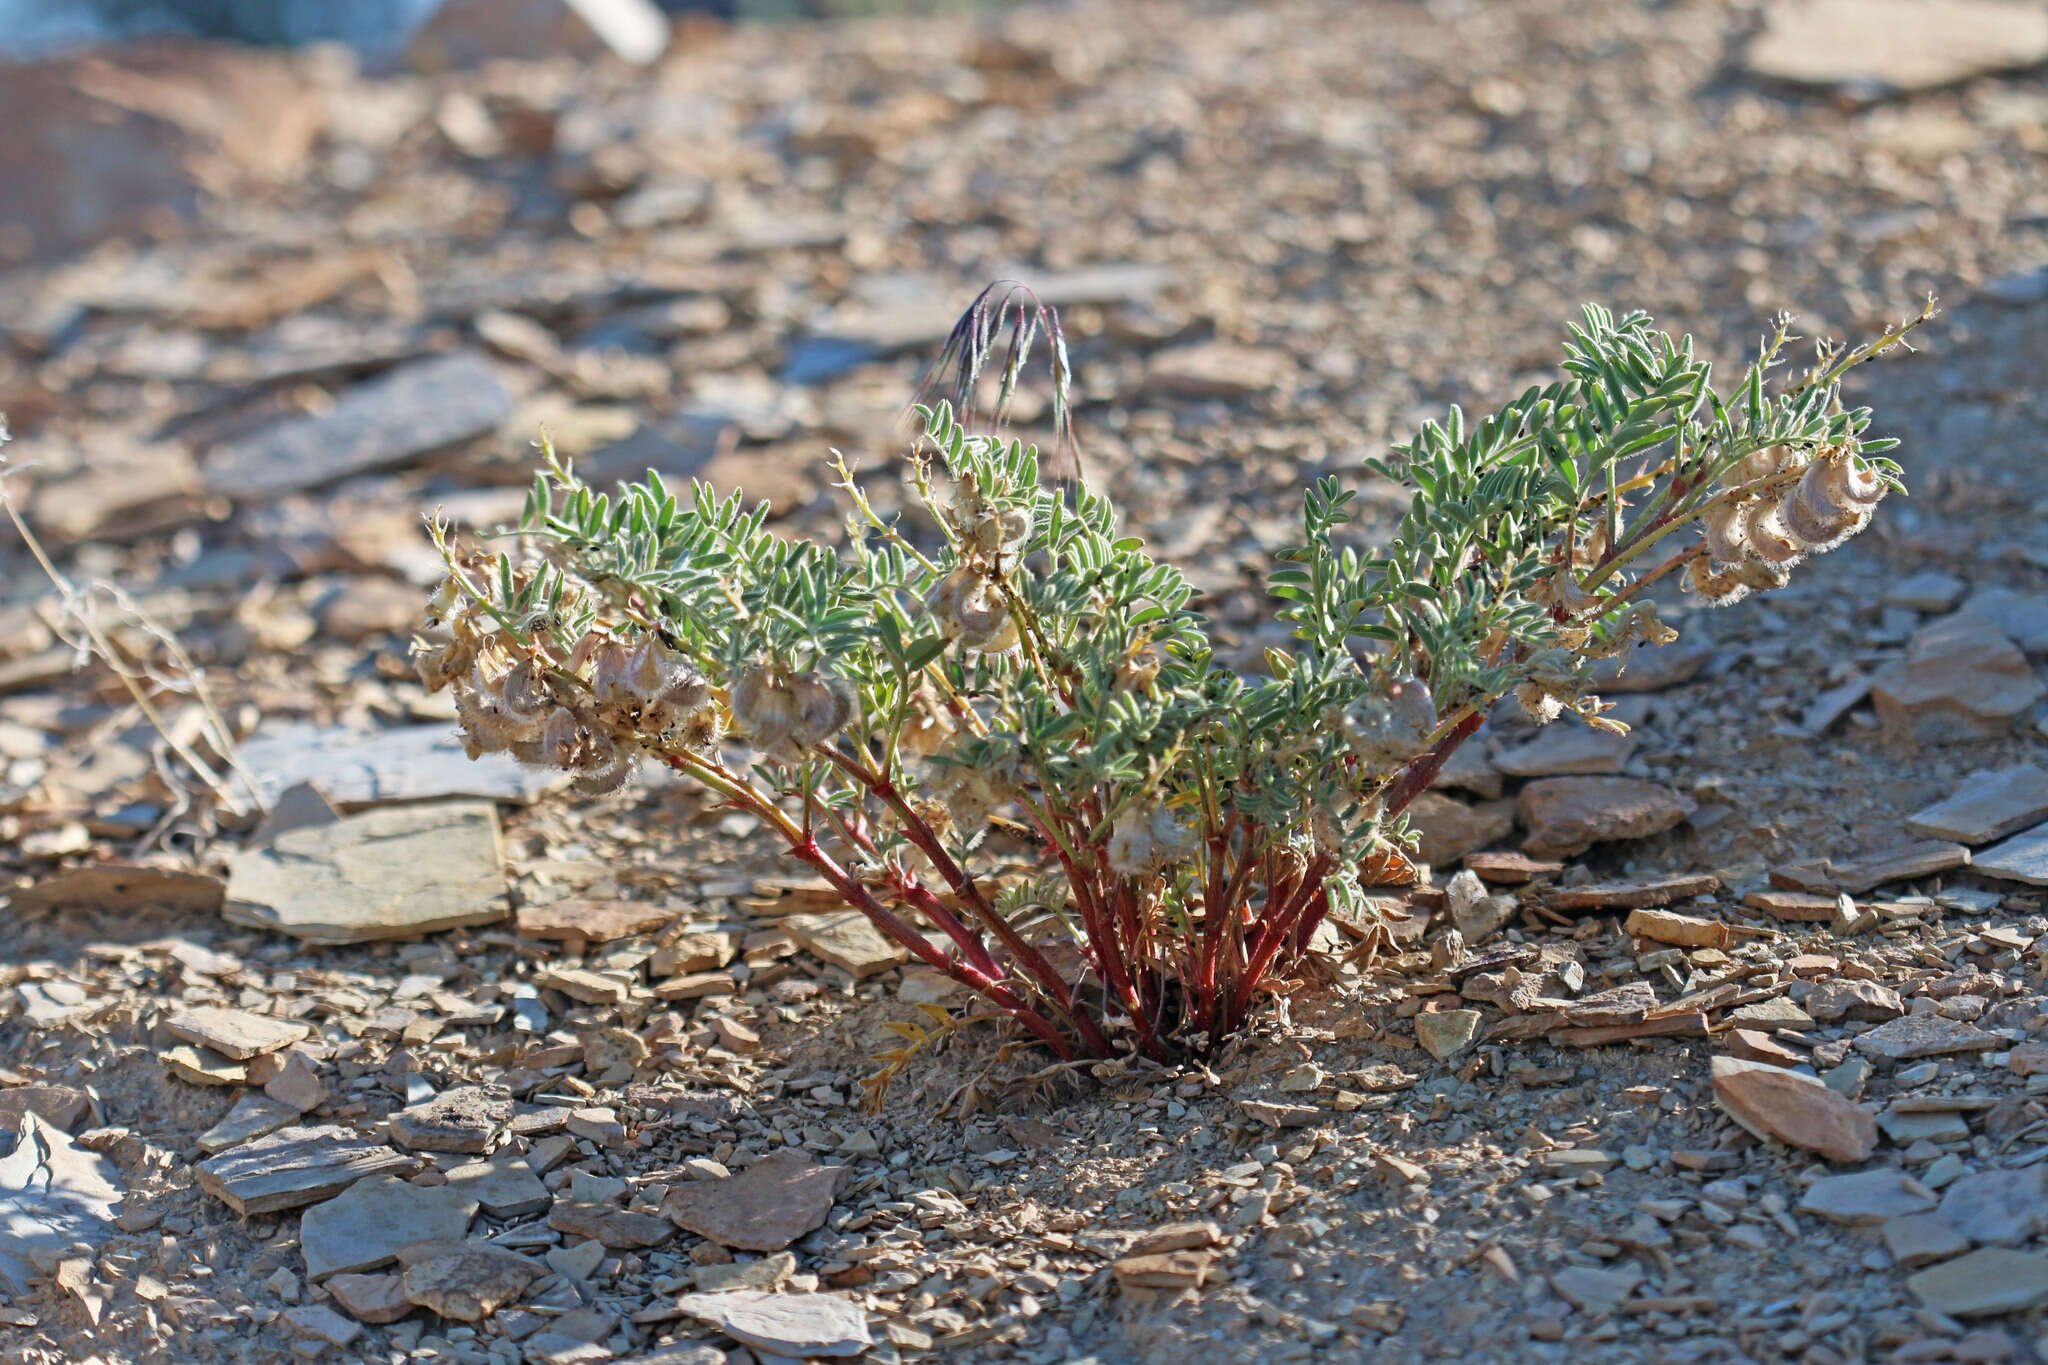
point(1961, 680)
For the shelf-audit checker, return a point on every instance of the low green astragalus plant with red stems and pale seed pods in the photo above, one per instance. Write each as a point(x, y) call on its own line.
point(884, 703)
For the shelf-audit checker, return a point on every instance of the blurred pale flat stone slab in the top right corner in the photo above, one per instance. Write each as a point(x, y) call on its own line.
point(1873, 48)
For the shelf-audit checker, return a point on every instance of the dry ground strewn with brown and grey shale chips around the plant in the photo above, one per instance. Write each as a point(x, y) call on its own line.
point(1324, 222)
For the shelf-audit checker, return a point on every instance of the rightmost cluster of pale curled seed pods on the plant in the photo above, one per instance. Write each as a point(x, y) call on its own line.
point(1754, 543)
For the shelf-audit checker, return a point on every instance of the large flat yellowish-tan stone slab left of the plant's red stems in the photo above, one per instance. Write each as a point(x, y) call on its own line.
point(380, 875)
